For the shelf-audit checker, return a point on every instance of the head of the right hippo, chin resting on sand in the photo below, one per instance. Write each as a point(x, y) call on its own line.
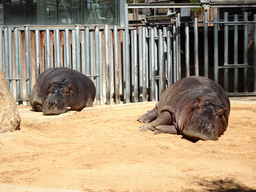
point(208, 120)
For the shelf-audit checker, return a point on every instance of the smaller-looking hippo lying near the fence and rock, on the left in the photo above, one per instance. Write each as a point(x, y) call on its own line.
point(58, 90)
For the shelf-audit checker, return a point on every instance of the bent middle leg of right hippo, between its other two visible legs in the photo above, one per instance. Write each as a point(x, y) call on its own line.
point(165, 118)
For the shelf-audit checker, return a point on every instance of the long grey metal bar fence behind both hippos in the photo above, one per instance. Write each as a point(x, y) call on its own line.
point(134, 64)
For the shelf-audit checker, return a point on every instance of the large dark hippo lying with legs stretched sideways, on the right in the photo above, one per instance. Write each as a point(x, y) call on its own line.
point(195, 107)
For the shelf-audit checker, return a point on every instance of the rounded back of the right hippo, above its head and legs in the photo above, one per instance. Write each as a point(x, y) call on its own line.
point(184, 92)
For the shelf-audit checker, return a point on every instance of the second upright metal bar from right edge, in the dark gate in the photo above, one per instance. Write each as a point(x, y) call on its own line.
point(245, 52)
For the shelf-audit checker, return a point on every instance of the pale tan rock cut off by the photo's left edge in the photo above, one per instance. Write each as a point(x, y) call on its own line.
point(9, 115)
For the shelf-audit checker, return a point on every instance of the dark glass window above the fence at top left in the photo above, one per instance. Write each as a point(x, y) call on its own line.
point(59, 12)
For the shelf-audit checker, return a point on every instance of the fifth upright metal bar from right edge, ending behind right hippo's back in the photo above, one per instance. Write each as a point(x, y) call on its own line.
point(216, 52)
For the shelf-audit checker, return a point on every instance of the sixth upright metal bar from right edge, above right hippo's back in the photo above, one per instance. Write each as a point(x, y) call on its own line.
point(206, 51)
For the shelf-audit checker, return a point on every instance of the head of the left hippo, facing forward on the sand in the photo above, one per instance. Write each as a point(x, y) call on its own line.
point(58, 99)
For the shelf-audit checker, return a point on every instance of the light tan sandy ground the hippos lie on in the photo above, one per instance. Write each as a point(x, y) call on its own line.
point(102, 149)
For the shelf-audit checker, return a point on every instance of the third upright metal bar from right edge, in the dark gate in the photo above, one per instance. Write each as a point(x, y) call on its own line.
point(236, 54)
